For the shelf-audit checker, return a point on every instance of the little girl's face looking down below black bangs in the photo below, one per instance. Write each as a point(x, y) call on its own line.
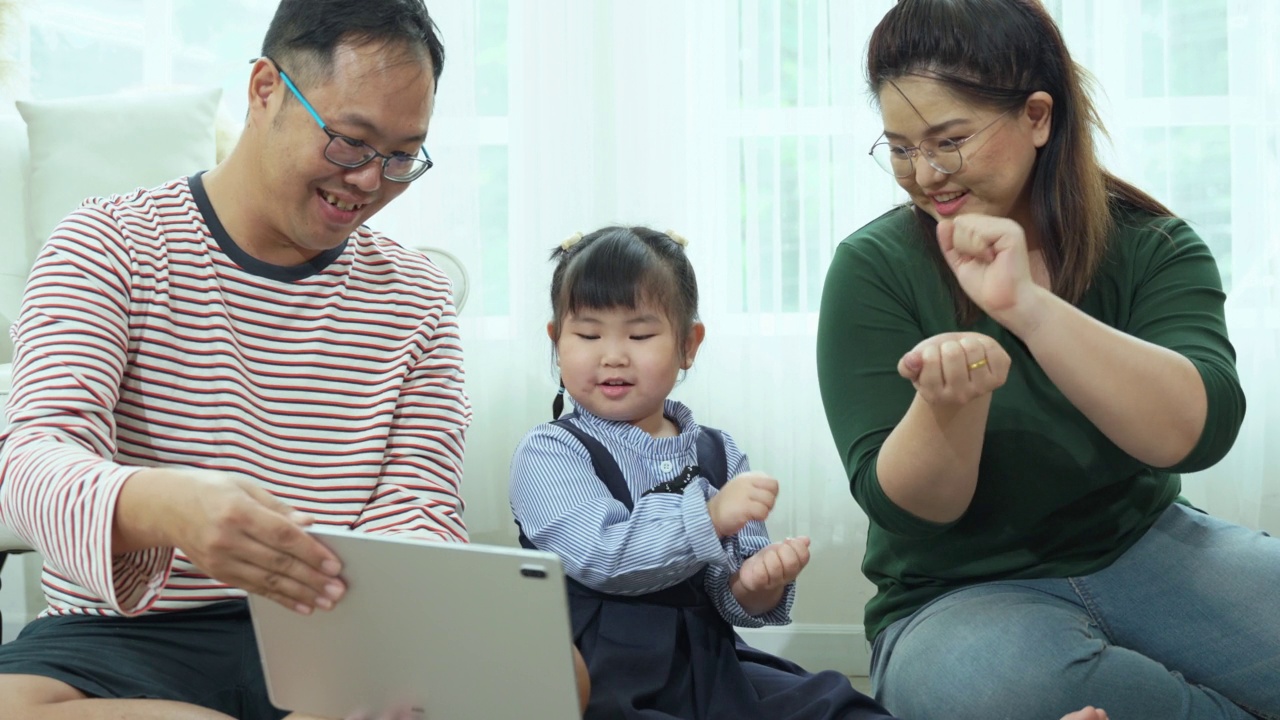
point(621, 364)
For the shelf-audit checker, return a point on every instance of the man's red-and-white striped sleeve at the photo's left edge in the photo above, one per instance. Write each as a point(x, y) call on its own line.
point(58, 490)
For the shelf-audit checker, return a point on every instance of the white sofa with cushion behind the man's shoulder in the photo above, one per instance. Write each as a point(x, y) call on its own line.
point(53, 156)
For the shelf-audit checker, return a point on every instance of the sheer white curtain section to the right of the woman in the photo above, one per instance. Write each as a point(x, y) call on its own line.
point(1191, 97)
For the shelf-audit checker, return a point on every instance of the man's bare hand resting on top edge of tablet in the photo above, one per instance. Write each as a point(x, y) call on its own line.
point(234, 531)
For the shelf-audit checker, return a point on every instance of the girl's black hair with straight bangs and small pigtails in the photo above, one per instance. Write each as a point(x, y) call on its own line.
point(624, 267)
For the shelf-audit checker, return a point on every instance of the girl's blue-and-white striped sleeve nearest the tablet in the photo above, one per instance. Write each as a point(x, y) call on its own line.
point(565, 509)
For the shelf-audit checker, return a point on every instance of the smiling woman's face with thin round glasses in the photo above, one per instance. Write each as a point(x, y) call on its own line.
point(995, 176)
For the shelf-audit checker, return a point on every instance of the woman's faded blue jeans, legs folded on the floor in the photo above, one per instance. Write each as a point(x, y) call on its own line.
point(1183, 626)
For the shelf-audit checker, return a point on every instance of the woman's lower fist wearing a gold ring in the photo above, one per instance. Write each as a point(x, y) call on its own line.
point(956, 368)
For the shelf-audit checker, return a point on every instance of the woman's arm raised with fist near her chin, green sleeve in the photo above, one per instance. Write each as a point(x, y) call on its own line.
point(1139, 385)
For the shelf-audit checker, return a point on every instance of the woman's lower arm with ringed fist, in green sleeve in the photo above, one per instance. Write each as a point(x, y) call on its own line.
point(911, 446)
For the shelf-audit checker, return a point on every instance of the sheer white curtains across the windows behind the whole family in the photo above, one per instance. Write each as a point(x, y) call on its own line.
point(744, 126)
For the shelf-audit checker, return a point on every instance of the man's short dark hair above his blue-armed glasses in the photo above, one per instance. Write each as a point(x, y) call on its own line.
point(304, 34)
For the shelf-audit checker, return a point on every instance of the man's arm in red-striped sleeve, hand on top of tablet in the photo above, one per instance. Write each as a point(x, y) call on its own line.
point(109, 528)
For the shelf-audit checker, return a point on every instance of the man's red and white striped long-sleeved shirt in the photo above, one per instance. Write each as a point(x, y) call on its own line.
point(148, 338)
